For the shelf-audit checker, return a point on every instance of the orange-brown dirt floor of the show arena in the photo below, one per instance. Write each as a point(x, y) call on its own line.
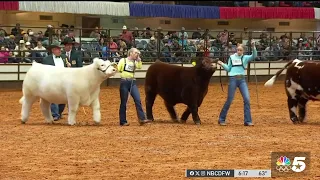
point(161, 150)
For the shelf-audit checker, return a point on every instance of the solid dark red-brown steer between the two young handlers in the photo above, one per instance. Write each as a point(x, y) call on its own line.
point(177, 84)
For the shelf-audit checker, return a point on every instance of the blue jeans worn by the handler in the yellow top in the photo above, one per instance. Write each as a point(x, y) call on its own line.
point(125, 86)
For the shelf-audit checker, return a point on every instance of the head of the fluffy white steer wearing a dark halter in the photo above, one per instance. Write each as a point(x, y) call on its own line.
point(107, 68)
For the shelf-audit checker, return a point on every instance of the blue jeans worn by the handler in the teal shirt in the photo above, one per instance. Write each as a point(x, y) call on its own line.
point(235, 82)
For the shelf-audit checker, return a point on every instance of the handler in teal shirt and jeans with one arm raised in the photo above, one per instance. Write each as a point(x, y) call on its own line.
point(236, 69)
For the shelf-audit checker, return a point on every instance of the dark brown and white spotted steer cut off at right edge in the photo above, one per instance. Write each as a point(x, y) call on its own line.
point(302, 84)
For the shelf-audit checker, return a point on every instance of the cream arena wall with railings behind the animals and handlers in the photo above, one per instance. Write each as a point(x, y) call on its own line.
point(12, 75)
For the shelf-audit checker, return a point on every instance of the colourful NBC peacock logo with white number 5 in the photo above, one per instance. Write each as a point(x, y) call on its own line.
point(284, 164)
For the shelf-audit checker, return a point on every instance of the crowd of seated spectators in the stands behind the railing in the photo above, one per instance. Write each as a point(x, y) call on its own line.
point(173, 46)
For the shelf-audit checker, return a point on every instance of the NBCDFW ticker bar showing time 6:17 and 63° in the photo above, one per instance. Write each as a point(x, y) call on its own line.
point(228, 173)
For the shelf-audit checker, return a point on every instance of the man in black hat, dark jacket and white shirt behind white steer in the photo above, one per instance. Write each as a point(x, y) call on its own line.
point(59, 60)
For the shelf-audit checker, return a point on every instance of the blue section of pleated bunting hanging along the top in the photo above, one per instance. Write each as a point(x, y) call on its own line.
point(174, 11)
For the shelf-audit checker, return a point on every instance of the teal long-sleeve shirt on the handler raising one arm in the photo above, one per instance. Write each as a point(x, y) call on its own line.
point(239, 70)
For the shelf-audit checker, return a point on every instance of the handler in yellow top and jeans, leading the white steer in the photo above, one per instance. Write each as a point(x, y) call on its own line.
point(127, 67)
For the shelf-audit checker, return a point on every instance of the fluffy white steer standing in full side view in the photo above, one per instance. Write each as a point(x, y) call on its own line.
point(73, 86)
